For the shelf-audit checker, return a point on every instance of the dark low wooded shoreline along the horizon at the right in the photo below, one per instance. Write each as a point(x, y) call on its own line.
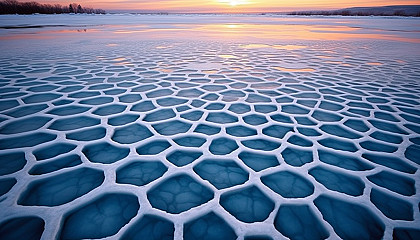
point(355, 13)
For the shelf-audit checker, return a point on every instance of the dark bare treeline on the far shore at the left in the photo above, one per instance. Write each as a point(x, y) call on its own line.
point(15, 7)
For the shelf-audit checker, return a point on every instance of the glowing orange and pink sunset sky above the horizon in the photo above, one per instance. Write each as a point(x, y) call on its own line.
point(228, 5)
